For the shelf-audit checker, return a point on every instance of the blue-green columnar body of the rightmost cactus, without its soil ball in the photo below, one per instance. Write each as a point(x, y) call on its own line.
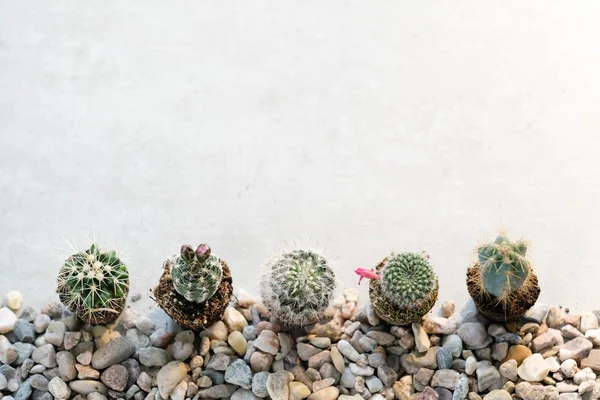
point(503, 266)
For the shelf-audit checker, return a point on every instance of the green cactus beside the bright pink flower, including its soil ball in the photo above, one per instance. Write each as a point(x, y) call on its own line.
point(407, 289)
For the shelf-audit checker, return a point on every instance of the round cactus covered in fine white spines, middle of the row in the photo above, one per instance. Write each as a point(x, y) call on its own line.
point(298, 286)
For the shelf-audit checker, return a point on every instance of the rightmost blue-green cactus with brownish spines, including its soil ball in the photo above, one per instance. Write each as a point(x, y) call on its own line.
point(502, 283)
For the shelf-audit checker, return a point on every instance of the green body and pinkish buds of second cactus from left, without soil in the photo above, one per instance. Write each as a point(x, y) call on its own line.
point(196, 274)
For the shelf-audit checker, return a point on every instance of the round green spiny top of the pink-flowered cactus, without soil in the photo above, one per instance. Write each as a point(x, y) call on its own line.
point(408, 280)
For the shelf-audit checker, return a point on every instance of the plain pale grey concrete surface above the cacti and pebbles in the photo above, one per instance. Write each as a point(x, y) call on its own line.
point(366, 126)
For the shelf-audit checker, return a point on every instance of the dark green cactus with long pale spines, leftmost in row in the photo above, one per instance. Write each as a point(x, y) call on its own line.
point(94, 284)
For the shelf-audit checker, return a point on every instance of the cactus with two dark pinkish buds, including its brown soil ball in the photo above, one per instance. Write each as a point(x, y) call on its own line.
point(195, 287)
